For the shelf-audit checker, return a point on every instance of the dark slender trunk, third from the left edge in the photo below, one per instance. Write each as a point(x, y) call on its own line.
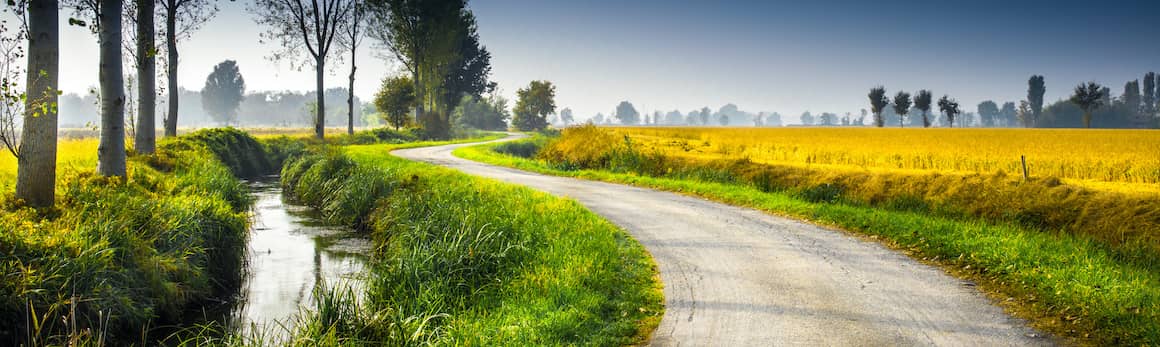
point(147, 76)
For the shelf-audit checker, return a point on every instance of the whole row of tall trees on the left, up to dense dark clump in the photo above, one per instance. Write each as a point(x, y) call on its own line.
point(436, 40)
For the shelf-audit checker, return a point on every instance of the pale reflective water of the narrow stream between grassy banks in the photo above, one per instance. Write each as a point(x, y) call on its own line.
point(291, 252)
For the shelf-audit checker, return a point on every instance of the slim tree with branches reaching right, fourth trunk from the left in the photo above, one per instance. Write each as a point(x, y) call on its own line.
point(183, 18)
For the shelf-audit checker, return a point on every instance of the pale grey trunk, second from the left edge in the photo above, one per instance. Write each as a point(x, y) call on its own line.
point(112, 151)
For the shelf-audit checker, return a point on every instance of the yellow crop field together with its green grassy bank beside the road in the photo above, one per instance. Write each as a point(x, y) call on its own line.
point(1075, 258)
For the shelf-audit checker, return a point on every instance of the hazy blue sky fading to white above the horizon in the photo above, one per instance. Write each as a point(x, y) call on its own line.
point(764, 56)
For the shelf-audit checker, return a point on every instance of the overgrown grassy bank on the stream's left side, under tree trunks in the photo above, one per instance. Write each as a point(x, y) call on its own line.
point(119, 257)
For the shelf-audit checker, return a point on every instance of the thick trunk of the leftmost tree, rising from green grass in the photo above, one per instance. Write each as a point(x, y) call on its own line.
point(37, 169)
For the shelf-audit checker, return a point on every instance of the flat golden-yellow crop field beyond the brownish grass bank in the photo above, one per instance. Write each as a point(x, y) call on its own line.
point(1096, 158)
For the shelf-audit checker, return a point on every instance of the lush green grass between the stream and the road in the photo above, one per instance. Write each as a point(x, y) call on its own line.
point(466, 261)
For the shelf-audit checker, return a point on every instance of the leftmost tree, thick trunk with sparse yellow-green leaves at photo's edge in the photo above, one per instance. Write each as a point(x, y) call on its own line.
point(37, 151)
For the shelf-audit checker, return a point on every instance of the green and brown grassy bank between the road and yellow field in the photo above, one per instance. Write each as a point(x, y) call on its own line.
point(1072, 284)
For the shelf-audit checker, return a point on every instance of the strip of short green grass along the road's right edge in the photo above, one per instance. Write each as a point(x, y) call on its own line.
point(1070, 285)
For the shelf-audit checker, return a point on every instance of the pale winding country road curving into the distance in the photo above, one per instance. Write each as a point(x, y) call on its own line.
point(736, 277)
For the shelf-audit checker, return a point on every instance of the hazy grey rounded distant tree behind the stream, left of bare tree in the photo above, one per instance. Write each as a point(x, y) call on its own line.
point(223, 92)
